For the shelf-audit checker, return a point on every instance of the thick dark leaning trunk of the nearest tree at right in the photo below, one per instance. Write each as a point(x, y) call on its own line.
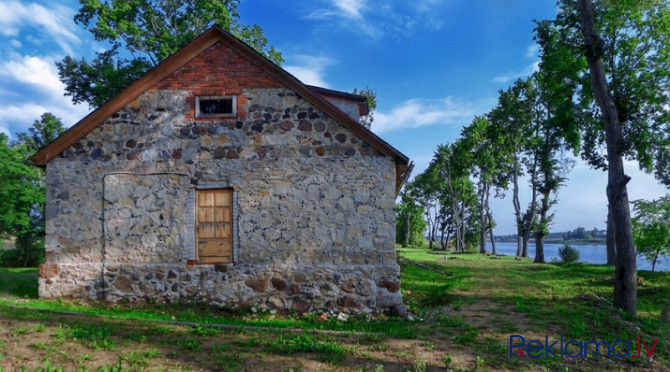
point(625, 274)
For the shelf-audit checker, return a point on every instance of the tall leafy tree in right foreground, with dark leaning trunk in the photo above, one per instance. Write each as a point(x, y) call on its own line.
point(617, 54)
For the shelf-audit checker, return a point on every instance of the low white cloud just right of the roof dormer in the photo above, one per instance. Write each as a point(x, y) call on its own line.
point(420, 112)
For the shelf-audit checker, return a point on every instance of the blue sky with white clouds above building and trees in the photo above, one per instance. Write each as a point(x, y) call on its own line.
point(434, 65)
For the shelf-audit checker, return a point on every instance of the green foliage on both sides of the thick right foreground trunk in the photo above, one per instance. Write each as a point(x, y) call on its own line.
point(636, 52)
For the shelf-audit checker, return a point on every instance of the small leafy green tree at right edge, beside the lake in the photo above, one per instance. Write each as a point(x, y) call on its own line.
point(651, 225)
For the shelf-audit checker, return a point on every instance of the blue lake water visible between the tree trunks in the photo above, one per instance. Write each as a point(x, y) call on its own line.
point(595, 254)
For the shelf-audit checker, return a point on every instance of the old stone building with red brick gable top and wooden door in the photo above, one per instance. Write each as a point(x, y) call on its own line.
point(220, 177)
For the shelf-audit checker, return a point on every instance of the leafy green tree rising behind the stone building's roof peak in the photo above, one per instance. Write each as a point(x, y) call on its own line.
point(142, 33)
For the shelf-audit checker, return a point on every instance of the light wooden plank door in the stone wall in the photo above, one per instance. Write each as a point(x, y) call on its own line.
point(214, 225)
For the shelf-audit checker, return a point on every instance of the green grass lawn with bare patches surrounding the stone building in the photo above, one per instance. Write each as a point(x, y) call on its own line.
point(465, 309)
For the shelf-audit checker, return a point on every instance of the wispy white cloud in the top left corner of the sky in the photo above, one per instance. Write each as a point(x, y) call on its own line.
point(56, 21)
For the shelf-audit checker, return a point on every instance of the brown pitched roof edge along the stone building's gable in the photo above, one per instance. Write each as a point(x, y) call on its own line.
point(190, 51)
